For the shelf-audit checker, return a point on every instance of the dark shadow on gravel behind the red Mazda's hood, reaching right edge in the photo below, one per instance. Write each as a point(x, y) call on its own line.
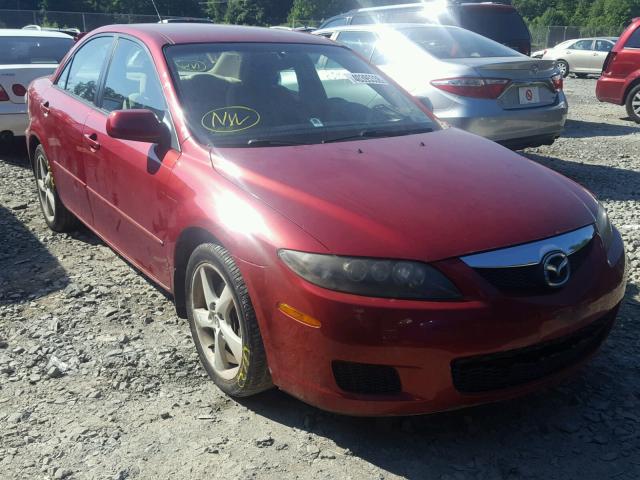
point(606, 182)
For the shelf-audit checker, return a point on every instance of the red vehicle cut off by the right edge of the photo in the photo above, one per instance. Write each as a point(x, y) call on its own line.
point(620, 80)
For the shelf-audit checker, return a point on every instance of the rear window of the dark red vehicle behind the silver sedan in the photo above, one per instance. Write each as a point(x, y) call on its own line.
point(500, 24)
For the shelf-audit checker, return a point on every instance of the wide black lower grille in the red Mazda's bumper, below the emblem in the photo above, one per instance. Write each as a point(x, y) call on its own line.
point(497, 371)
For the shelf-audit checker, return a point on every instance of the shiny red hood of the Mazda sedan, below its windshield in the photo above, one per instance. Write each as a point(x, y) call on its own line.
point(426, 197)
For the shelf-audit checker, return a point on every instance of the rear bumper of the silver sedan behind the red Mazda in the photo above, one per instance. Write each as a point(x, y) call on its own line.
point(501, 125)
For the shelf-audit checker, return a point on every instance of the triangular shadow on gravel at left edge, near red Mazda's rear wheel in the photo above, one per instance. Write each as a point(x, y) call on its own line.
point(27, 269)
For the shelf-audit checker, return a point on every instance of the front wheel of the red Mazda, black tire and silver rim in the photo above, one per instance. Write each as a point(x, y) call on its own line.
point(223, 323)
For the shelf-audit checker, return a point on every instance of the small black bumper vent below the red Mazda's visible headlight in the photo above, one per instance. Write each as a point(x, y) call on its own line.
point(366, 379)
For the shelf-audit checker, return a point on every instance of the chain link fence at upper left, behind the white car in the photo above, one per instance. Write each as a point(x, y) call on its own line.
point(82, 21)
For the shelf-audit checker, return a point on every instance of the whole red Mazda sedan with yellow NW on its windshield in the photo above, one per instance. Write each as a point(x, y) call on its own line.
point(319, 228)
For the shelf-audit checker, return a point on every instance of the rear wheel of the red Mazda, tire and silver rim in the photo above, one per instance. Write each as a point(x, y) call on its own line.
point(58, 218)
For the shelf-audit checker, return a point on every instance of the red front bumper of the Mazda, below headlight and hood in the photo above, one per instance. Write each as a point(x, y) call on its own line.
point(423, 341)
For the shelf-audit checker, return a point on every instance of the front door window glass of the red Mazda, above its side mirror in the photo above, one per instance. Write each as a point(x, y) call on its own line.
point(132, 81)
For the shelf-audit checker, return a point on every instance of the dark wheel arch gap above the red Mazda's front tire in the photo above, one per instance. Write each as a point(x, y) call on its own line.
point(190, 238)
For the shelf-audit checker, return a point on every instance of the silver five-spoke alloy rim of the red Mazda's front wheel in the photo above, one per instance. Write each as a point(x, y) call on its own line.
point(218, 328)
